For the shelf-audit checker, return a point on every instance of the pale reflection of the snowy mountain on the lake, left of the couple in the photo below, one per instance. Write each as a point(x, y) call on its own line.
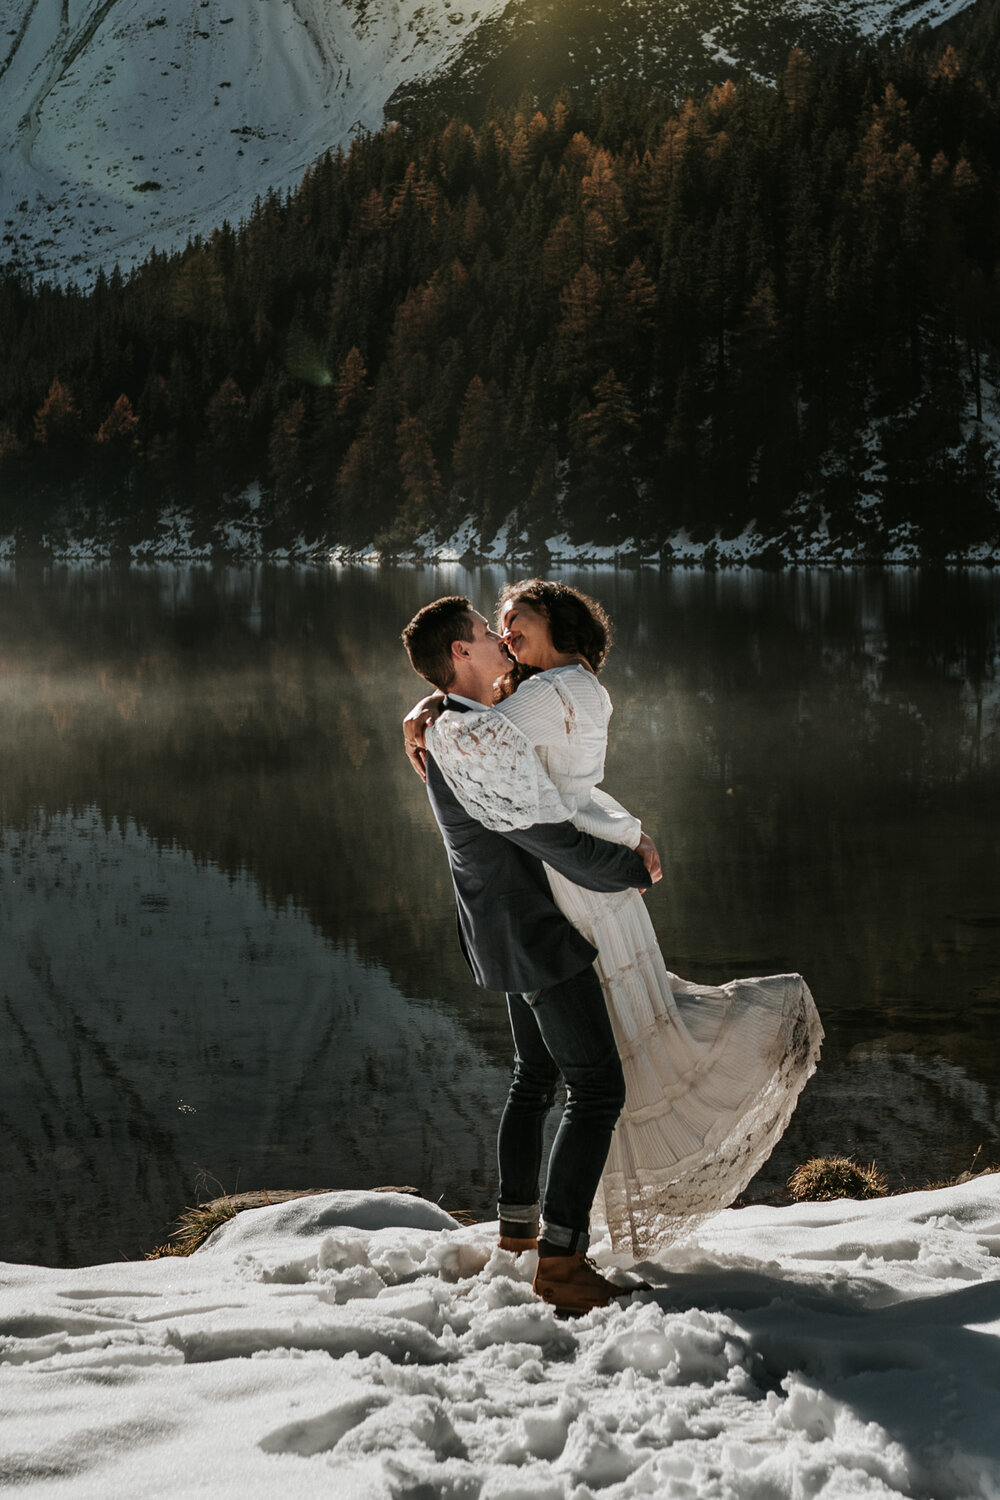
point(163, 1018)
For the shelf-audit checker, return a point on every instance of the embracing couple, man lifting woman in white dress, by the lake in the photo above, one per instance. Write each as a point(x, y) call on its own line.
point(675, 1093)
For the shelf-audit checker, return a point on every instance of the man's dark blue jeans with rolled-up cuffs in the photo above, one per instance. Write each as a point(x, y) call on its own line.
point(561, 1031)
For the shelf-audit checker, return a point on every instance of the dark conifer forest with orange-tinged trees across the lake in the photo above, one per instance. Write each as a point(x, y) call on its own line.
point(620, 319)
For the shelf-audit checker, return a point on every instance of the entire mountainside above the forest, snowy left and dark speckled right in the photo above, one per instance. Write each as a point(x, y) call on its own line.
point(131, 125)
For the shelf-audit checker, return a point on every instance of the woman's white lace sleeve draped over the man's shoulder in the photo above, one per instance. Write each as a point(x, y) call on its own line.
point(494, 772)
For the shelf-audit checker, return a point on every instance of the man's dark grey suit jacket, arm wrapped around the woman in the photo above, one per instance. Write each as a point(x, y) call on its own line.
point(513, 935)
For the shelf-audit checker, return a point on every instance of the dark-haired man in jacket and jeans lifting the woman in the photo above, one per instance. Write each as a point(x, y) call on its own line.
point(516, 940)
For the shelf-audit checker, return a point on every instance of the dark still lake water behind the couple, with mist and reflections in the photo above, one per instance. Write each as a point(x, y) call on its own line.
point(226, 916)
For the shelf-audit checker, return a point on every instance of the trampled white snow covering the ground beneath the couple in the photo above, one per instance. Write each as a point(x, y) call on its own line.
point(364, 1346)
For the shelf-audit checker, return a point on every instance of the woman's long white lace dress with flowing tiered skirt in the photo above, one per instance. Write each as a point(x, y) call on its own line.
point(713, 1075)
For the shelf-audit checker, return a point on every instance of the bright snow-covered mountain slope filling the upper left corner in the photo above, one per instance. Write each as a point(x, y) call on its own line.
point(130, 125)
